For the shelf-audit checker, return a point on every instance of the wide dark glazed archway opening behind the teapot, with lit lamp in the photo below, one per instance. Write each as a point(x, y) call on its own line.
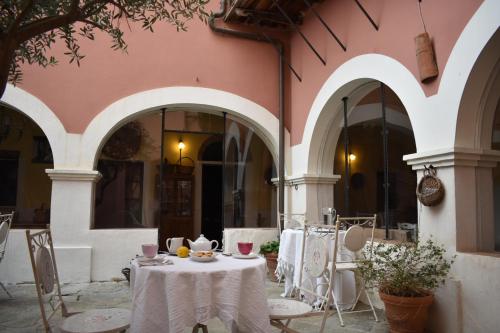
point(131, 192)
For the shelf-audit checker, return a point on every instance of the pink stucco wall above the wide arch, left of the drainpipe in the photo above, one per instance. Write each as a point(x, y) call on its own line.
point(154, 60)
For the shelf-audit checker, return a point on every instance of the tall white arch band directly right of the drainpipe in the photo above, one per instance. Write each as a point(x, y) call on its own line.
point(349, 79)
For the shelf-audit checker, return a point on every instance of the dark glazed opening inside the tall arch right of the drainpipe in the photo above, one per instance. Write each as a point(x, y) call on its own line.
point(368, 165)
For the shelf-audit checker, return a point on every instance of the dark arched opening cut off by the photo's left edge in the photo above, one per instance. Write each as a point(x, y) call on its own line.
point(25, 153)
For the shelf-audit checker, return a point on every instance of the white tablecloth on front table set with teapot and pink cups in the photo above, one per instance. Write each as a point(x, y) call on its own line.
point(172, 297)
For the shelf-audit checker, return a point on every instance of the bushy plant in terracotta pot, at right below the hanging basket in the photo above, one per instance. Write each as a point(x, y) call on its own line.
point(406, 275)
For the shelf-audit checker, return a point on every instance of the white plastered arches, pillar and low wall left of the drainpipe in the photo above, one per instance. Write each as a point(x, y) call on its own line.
point(85, 254)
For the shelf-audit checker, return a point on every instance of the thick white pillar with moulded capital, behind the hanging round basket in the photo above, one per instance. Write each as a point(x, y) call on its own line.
point(468, 181)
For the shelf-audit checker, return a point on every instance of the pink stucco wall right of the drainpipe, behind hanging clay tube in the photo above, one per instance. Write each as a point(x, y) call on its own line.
point(399, 22)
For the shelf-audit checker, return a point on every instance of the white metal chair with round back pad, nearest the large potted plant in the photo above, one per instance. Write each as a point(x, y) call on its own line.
point(360, 231)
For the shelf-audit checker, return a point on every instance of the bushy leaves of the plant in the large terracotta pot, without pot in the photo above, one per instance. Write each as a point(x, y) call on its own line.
point(405, 269)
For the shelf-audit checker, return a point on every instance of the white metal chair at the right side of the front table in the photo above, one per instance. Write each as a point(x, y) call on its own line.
point(311, 298)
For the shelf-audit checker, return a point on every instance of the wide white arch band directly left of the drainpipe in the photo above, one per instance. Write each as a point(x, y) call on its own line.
point(265, 123)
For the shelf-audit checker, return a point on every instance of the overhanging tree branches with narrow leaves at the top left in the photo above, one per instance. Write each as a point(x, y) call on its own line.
point(34, 26)
